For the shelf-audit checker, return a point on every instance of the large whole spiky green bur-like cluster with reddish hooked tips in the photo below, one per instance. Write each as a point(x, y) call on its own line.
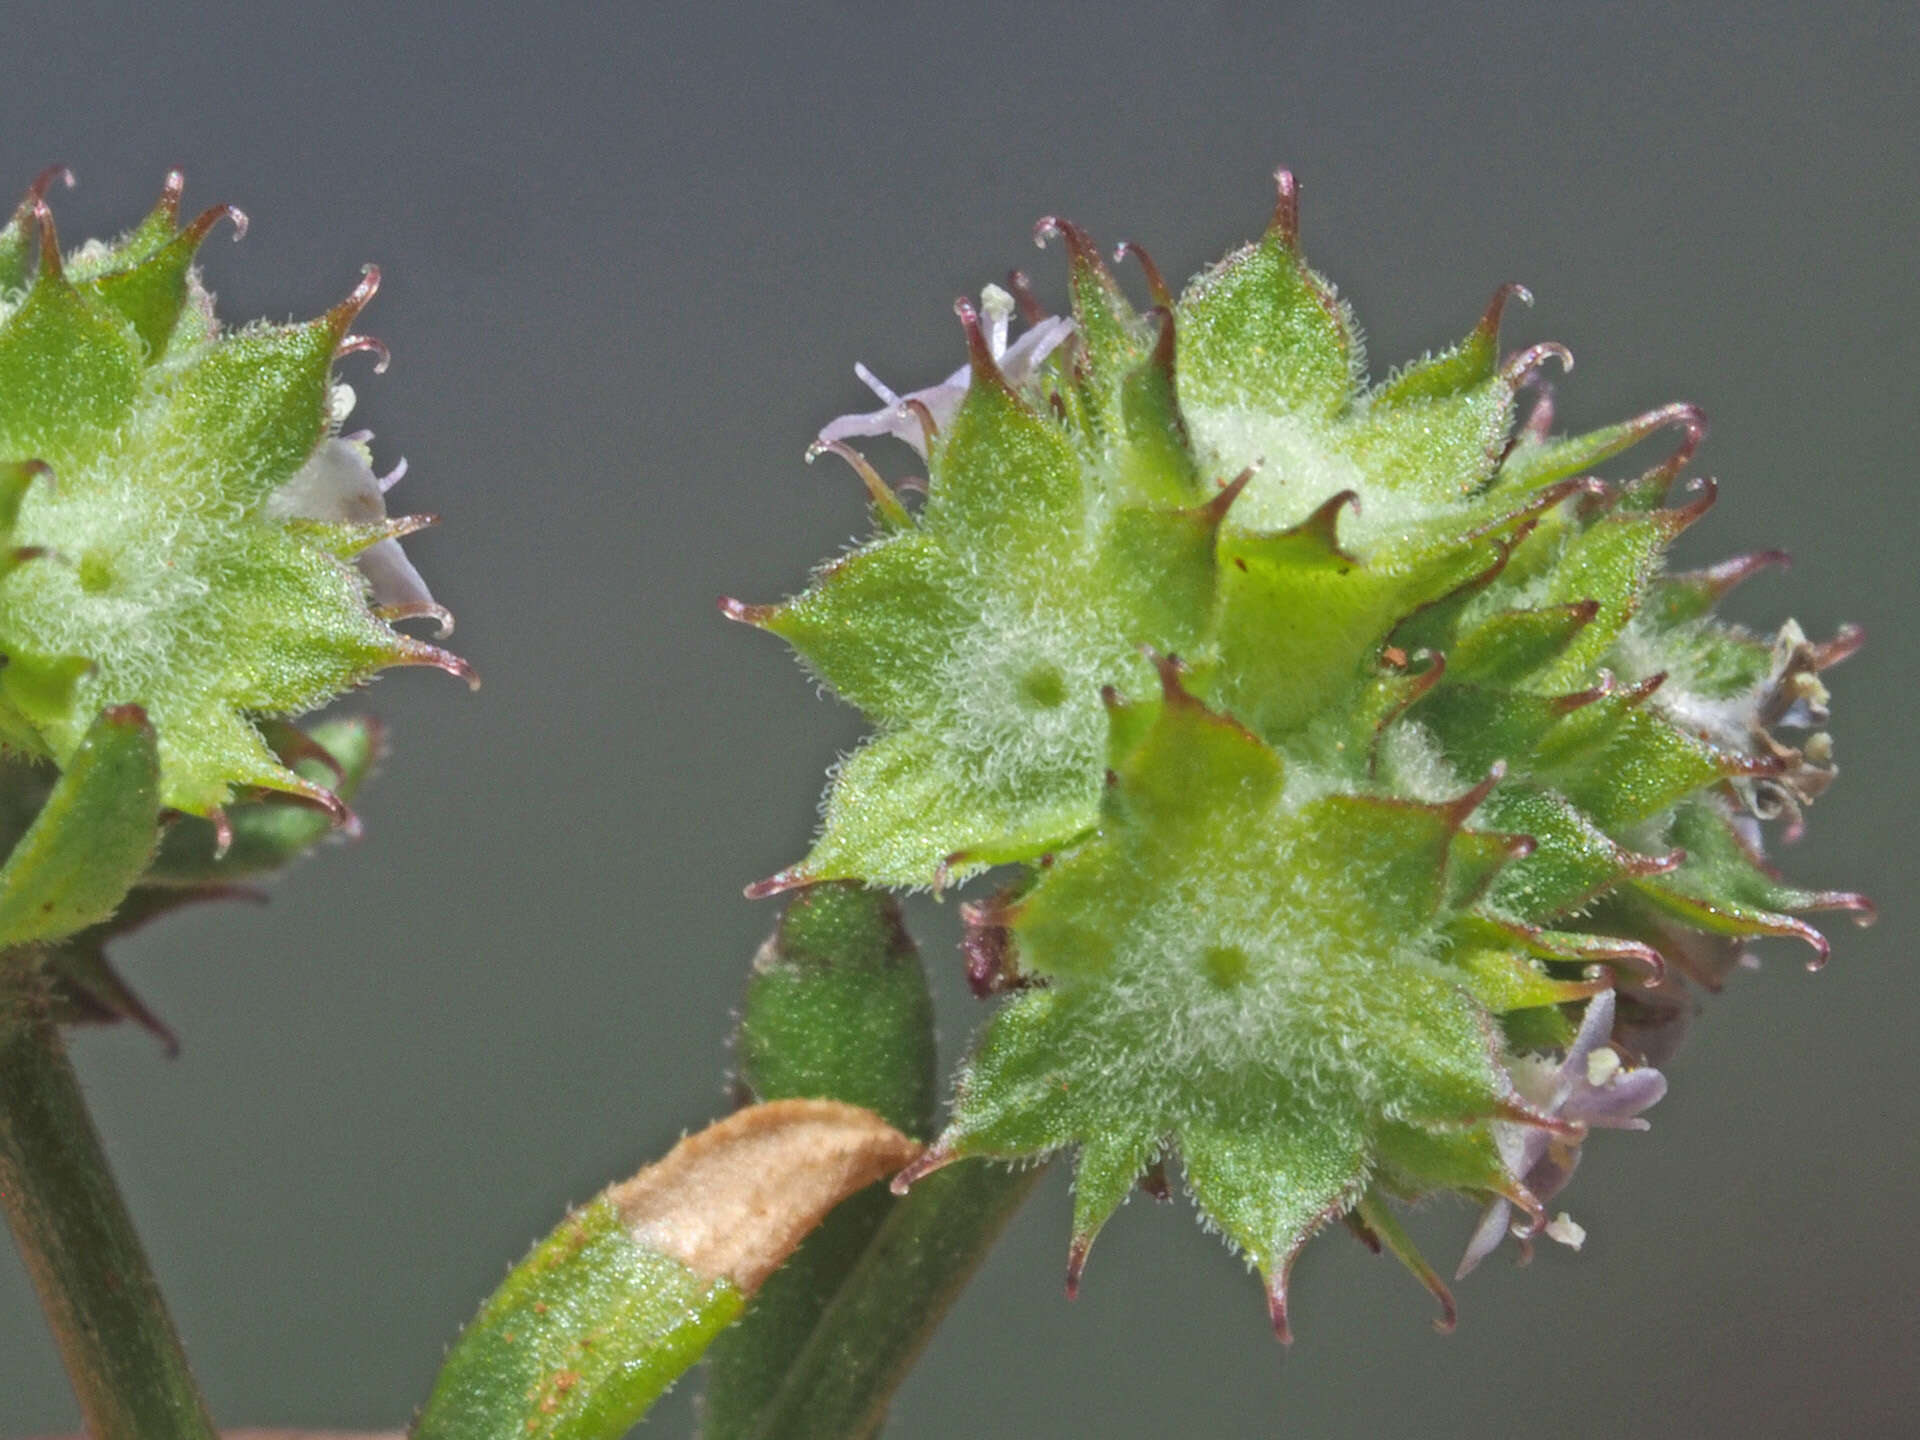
point(1372, 777)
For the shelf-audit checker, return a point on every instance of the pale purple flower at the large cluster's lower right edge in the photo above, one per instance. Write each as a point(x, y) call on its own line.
point(1591, 1088)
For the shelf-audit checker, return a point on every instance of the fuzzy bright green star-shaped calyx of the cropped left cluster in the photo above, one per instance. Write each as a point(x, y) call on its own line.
point(180, 521)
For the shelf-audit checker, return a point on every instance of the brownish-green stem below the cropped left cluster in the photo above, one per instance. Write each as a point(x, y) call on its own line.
point(78, 1239)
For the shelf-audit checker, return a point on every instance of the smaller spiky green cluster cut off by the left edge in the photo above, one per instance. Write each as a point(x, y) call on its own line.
point(191, 554)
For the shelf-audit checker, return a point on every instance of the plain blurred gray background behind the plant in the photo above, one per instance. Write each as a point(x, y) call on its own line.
point(633, 254)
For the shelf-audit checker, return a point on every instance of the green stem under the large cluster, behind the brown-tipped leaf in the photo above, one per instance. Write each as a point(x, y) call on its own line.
point(888, 1308)
